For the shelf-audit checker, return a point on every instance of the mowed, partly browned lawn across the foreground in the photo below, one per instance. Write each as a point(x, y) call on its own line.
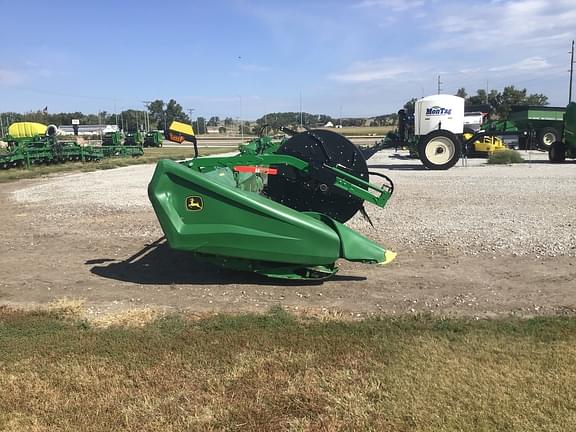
point(275, 372)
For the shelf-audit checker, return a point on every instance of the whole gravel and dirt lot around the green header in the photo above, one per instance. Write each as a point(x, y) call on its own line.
point(476, 240)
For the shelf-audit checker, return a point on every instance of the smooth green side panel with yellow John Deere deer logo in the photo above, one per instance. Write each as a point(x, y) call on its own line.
point(203, 216)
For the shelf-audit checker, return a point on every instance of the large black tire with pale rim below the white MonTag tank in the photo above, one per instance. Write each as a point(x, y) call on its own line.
point(439, 150)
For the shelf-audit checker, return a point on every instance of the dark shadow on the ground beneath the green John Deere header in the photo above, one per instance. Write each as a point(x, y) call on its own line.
point(157, 264)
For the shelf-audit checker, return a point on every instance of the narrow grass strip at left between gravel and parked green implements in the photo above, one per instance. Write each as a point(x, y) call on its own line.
point(151, 155)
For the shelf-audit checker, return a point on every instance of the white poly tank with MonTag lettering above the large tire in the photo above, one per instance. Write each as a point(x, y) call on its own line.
point(439, 112)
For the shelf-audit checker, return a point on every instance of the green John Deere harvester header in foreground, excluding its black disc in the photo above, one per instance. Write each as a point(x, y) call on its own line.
point(220, 210)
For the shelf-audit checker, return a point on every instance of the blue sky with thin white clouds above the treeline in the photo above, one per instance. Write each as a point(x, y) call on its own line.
point(242, 58)
